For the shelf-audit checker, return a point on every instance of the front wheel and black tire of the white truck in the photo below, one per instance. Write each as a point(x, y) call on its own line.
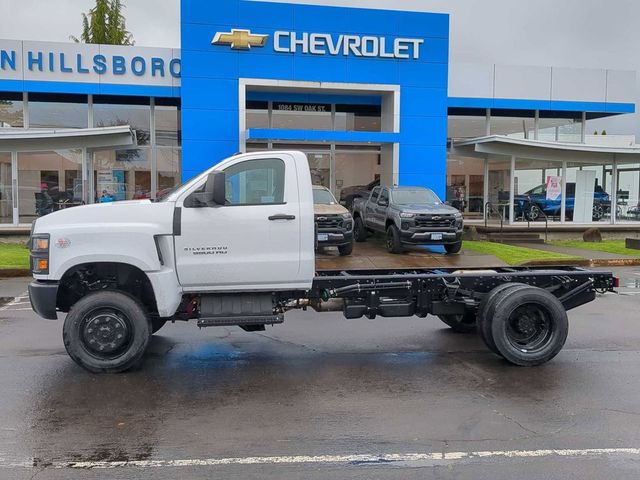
point(123, 335)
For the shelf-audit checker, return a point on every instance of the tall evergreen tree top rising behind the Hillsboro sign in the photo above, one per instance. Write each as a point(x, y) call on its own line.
point(105, 24)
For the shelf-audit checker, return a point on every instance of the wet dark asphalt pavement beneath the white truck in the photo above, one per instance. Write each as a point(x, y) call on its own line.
point(319, 385)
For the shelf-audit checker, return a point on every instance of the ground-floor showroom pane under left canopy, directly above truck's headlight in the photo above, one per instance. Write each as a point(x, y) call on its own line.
point(48, 181)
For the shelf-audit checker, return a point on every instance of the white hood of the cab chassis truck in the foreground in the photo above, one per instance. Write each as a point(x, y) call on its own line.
point(156, 218)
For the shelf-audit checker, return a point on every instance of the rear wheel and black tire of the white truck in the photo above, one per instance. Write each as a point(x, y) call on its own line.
point(529, 326)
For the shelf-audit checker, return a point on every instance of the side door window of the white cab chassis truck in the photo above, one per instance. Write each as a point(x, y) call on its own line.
point(255, 182)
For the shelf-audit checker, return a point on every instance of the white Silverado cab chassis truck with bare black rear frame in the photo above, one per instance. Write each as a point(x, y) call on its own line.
point(235, 246)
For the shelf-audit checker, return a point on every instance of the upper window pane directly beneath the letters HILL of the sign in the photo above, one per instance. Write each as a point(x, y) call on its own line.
point(57, 111)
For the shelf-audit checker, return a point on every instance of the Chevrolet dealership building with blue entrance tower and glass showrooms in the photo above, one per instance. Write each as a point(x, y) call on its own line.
point(367, 95)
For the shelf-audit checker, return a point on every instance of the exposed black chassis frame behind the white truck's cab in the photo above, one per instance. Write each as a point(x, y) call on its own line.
point(447, 291)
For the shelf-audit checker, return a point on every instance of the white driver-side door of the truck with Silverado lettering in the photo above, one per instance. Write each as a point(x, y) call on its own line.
point(254, 240)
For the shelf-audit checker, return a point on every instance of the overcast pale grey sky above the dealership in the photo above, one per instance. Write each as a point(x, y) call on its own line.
point(577, 33)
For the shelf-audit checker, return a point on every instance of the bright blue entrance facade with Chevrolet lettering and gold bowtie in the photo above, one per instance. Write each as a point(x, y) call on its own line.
point(302, 47)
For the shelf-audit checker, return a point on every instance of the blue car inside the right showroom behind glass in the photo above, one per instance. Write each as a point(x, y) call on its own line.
point(534, 203)
